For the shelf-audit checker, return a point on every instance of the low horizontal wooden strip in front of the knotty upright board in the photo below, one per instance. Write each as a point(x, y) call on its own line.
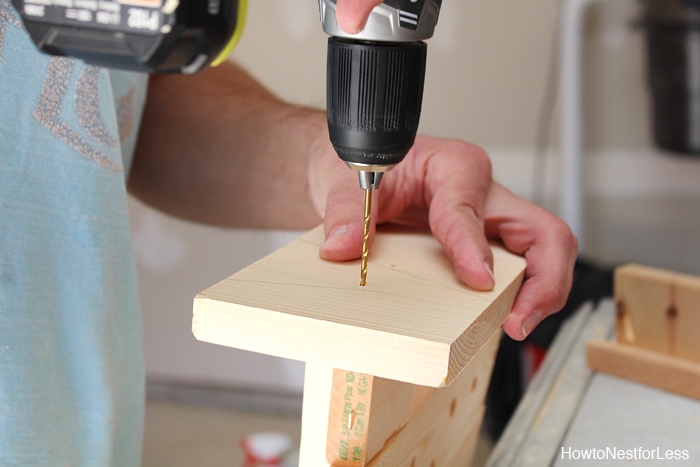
point(674, 374)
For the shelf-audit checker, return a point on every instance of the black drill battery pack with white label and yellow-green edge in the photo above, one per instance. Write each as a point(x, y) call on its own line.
point(154, 36)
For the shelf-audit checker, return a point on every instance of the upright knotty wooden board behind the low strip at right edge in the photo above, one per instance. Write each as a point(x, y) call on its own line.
point(658, 310)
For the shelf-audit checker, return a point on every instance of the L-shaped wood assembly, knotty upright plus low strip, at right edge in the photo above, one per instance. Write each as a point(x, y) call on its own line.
point(658, 318)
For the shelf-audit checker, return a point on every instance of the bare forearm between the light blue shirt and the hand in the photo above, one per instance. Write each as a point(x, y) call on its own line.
point(218, 148)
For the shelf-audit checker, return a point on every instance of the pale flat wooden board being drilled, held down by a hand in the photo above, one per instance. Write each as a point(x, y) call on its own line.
point(413, 322)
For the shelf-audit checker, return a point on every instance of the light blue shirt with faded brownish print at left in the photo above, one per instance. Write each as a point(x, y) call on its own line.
point(71, 364)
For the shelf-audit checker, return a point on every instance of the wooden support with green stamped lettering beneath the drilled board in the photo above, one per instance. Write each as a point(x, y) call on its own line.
point(427, 428)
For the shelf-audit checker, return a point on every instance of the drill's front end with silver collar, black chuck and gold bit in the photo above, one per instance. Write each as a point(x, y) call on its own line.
point(374, 89)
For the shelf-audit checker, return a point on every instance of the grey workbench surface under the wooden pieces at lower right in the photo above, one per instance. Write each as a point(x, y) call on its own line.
point(569, 411)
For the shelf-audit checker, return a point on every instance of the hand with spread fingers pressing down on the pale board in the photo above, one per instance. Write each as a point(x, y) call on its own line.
point(447, 185)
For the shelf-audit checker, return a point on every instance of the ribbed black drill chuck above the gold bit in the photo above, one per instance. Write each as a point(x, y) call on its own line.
point(374, 98)
